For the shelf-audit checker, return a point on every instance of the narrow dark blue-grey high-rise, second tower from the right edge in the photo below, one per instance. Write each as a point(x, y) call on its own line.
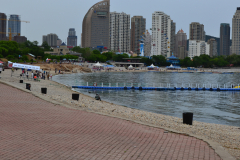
point(225, 39)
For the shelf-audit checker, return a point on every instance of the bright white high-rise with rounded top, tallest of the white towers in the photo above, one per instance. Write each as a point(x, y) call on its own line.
point(161, 34)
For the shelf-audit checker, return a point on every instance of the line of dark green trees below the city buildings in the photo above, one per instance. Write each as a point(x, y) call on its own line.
point(11, 50)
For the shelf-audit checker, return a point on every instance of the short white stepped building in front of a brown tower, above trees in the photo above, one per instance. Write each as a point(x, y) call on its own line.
point(197, 48)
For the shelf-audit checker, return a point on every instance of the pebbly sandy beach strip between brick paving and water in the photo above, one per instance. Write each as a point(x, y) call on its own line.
point(224, 139)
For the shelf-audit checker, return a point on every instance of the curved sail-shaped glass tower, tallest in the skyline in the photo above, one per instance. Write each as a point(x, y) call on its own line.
point(95, 26)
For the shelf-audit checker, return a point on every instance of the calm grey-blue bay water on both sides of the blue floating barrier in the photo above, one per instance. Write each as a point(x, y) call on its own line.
point(207, 106)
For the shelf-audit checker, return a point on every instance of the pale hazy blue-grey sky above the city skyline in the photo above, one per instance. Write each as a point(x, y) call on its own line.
point(57, 16)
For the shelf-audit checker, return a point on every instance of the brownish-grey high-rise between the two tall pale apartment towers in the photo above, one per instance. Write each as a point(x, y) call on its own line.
point(138, 27)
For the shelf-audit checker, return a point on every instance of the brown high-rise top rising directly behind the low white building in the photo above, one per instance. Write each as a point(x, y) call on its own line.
point(196, 31)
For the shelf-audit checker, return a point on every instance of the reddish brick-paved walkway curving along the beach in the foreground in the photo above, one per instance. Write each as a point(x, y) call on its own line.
point(31, 128)
